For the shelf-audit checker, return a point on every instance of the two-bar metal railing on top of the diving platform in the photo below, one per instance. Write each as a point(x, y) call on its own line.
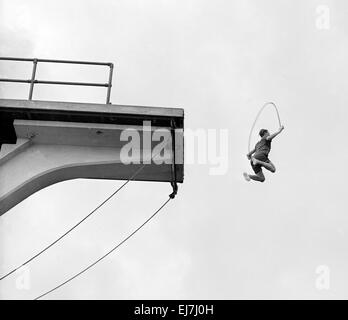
point(34, 81)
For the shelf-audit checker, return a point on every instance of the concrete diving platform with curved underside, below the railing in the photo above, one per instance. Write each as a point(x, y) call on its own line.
point(46, 142)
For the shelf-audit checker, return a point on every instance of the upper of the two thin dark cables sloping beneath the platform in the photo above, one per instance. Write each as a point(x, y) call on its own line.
point(76, 225)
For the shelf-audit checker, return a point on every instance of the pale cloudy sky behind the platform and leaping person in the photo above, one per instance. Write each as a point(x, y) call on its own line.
point(222, 238)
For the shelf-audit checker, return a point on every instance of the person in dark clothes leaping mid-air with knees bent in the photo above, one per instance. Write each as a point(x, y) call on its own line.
point(259, 156)
